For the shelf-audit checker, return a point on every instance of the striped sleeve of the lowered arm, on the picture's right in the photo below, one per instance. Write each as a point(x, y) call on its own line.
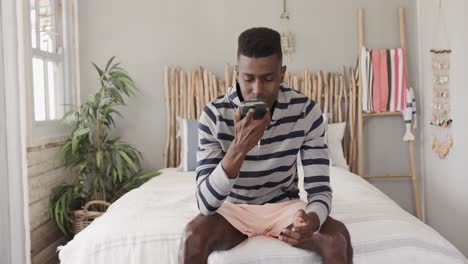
point(315, 161)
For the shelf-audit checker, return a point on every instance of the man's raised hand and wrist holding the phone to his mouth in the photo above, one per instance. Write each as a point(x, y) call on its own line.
point(248, 132)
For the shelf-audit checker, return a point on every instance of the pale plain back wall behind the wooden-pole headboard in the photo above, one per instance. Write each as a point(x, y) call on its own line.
point(146, 34)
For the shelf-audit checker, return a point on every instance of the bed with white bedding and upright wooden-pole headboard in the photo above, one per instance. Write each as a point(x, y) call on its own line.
point(145, 225)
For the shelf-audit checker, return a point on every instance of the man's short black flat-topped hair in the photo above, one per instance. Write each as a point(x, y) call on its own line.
point(259, 42)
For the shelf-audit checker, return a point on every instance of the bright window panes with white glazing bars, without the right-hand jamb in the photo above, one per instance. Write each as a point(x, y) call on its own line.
point(47, 59)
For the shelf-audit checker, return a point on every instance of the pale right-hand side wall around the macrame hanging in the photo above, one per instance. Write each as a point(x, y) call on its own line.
point(447, 180)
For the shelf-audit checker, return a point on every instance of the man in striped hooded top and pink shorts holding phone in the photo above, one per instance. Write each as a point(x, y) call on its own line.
point(247, 181)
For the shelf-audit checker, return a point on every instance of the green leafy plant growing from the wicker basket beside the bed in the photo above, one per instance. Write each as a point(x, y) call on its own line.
point(106, 167)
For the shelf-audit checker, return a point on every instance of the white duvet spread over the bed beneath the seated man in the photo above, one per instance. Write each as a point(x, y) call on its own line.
point(145, 225)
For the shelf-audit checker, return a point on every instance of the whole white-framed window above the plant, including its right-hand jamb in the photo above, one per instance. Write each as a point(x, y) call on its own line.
point(52, 92)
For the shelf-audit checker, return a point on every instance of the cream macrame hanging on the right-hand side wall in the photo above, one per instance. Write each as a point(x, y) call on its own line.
point(441, 119)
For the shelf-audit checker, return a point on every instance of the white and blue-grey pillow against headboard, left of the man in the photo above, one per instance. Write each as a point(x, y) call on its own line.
point(189, 143)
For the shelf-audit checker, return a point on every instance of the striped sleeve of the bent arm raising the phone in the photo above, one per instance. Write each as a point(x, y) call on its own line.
point(213, 185)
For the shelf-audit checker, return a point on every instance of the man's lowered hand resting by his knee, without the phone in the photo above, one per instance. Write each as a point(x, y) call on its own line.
point(299, 234)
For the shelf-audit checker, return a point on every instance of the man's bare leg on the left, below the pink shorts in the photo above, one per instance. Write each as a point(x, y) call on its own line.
point(205, 234)
